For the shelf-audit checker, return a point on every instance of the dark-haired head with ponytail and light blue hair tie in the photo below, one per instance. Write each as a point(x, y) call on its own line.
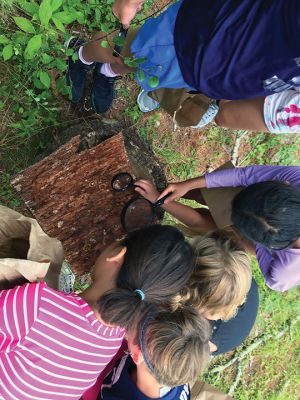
point(157, 264)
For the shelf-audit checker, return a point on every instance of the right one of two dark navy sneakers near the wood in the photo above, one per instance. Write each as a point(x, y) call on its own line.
point(103, 90)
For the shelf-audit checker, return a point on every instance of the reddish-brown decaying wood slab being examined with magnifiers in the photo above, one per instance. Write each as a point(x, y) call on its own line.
point(70, 195)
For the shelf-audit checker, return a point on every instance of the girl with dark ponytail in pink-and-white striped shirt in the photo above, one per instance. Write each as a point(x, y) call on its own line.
point(53, 345)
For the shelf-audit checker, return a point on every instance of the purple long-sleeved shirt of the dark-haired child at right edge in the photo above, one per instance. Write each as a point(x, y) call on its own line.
point(281, 268)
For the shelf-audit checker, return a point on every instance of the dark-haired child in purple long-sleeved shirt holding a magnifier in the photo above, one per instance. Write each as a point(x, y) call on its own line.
point(267, 214)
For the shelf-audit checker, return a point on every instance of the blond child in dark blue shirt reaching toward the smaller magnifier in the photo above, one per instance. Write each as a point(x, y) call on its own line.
point(221, 286)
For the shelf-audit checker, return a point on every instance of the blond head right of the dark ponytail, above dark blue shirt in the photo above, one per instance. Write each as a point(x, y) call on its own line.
point(222, 277)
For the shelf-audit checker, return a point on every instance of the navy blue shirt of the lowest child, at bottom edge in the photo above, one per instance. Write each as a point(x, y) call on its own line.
point(119, 385)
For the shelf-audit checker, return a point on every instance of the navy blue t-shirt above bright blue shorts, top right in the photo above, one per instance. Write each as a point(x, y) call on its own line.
point(238, 49)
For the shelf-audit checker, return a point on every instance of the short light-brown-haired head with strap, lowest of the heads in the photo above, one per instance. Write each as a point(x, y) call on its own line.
point(172, 346)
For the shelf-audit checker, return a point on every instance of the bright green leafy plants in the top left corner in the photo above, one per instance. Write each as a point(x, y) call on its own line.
point(31, 42)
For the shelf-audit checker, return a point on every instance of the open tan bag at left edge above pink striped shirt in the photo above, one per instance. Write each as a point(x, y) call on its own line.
point(27, 253)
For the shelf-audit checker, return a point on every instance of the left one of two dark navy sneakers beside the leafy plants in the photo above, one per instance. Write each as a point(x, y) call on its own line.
point(77, 70)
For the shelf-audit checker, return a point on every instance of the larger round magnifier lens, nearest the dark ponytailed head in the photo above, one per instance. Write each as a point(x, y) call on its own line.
point(136, 214)
